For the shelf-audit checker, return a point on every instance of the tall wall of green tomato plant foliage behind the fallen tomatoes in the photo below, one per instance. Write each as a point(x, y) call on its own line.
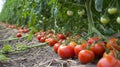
point(84, 15)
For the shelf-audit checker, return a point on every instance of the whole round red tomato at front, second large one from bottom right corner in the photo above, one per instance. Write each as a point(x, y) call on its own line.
point(86, 56)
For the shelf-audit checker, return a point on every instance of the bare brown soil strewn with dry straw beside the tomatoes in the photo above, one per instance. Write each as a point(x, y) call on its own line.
point(35, 57)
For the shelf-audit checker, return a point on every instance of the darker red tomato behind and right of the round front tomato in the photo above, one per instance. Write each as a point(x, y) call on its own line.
point(98, 49)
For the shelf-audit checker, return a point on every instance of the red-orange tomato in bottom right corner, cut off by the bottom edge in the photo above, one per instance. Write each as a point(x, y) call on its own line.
point(108, 61)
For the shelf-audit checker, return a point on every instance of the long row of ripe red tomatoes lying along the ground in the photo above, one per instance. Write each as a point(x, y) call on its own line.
point(86, 50)
